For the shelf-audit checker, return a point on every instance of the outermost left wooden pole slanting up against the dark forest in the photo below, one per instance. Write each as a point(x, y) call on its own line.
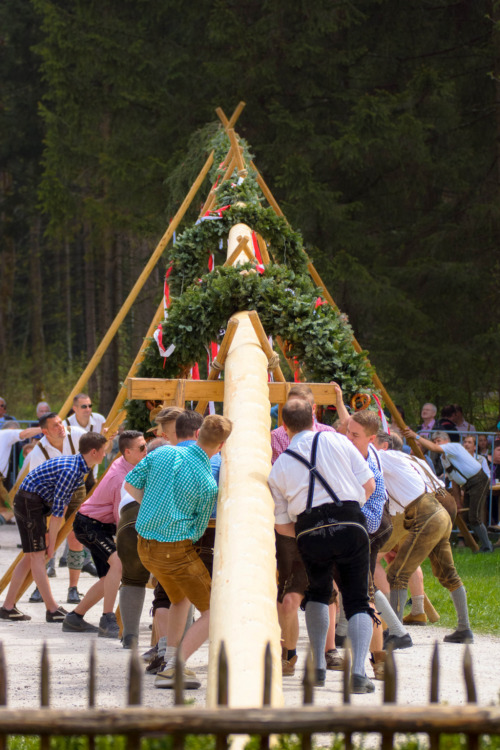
point(136, 288)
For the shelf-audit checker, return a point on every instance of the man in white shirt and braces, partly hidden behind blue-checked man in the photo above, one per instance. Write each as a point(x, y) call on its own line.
point(59, 440)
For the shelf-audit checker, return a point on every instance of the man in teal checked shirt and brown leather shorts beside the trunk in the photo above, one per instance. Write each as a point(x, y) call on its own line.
point(177, 492)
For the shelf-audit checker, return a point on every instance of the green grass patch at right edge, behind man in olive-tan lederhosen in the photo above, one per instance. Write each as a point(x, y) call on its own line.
point(481, 577)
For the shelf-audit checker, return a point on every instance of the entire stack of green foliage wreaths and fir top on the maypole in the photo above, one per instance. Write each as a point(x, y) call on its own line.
point(284, 295)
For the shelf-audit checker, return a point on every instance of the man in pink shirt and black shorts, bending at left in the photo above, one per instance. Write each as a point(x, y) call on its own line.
point(95, 527)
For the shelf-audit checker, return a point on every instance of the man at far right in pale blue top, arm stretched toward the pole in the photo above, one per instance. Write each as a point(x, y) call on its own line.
point(464, 470)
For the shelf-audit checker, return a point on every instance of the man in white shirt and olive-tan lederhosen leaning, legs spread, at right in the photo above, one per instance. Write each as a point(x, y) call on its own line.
point(429, 527)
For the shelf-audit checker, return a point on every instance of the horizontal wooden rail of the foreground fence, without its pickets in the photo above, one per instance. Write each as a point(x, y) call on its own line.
point(263, 720)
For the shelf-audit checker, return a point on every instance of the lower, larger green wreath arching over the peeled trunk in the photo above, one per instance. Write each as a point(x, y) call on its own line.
point(320, 338)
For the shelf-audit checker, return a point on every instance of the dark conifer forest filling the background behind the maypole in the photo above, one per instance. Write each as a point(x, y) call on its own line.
point(376, 124)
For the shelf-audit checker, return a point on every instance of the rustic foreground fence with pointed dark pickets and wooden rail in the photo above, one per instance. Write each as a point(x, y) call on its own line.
point(136, 721)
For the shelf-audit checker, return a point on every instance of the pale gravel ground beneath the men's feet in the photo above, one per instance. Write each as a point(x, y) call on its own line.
point(69, 659)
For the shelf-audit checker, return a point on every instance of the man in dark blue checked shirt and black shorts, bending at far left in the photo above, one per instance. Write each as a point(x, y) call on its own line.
point(46, 491)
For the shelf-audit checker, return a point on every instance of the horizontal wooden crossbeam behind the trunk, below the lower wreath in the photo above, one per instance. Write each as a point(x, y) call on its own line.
point(144, 389)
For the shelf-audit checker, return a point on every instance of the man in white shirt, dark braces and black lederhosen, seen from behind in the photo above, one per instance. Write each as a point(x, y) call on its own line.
point(330, 529)
